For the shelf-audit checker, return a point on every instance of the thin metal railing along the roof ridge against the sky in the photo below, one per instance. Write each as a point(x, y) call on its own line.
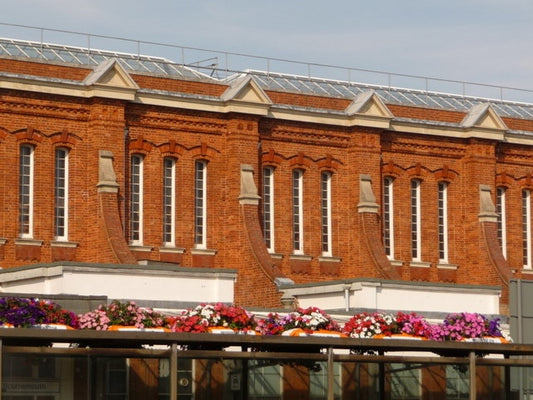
point(220, 64)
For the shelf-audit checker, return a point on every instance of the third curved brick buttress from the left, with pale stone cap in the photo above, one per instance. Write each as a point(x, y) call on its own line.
point(370, 230)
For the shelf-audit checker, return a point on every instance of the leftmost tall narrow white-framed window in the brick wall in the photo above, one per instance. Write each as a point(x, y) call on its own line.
point(26, 191)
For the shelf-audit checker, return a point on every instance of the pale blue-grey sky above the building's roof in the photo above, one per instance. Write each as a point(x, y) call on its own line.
point(483, 41)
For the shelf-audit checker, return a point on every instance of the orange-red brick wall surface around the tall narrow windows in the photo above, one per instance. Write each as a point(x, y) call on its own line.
point(227, 140)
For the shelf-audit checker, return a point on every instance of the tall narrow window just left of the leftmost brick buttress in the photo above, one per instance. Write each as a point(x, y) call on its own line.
point(61, 194)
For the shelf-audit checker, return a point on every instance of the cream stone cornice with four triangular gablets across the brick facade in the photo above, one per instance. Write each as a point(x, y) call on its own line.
point(247, 98)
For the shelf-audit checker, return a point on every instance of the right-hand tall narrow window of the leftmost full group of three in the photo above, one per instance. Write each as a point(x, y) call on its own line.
point(200, 204)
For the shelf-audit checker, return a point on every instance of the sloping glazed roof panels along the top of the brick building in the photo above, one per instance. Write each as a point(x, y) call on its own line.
point(266, 80)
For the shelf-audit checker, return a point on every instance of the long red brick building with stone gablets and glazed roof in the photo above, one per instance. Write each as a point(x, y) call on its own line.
point(283, 178)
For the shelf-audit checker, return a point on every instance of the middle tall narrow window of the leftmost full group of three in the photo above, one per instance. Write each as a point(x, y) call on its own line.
point(169, 201)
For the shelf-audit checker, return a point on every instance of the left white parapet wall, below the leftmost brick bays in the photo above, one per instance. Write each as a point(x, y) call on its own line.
point(149, 282)
